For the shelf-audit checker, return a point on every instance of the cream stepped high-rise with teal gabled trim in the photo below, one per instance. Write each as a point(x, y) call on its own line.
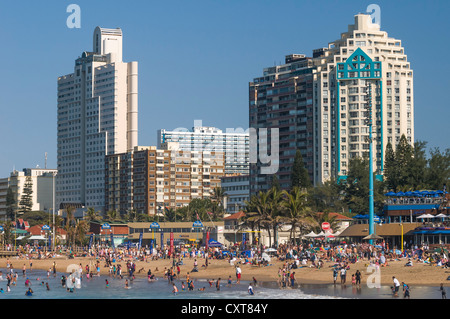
point(363, 56)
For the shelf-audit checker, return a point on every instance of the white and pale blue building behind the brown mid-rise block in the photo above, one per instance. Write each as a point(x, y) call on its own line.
point(234, 143)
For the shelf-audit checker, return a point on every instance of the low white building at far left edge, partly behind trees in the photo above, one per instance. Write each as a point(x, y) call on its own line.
point(42, 181)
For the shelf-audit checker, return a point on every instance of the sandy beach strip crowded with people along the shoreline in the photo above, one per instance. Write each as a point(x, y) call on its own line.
point(419, 275)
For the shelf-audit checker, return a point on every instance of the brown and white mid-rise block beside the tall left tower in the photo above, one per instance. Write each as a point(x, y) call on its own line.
point(148, 179)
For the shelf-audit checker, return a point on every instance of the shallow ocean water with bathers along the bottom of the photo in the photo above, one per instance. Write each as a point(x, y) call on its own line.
point(140, 288)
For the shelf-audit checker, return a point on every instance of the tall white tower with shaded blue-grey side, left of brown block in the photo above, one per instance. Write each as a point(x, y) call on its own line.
point(97, 116)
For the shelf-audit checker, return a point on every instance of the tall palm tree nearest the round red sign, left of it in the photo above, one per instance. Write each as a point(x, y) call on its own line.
point(297, 212)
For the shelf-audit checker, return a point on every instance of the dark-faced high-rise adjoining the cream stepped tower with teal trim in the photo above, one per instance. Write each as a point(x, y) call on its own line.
point(283, 98)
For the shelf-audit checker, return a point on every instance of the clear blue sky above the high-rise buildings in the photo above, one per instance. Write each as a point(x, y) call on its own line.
point(196, 59)
